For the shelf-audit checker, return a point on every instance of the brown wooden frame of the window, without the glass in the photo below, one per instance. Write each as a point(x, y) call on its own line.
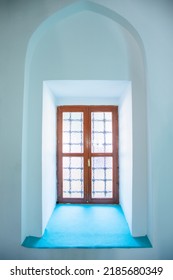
point(87, 153)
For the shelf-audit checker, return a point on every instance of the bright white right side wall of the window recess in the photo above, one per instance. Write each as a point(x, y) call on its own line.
point(126, 156)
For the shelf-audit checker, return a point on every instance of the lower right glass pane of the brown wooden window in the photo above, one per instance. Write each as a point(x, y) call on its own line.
point(101, 177)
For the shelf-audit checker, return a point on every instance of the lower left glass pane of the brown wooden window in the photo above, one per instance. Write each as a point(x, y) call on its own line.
point(73, 183)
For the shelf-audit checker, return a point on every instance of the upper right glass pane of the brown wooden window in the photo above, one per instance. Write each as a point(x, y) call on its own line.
point(101, 132)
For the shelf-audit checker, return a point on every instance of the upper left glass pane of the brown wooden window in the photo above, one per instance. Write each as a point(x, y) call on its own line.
point(72, 132)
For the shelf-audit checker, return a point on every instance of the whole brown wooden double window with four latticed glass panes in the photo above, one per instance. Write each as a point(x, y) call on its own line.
point(87, 154)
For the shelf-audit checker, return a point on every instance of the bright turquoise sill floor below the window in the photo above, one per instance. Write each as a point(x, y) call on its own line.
point(87, 226)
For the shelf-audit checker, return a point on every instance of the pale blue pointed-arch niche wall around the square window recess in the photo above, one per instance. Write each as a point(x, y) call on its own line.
point(84, 41)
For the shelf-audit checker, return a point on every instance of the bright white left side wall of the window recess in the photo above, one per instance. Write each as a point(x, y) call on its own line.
point(49, 191)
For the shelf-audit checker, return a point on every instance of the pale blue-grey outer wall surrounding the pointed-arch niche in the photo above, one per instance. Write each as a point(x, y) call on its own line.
point(153, 20)
